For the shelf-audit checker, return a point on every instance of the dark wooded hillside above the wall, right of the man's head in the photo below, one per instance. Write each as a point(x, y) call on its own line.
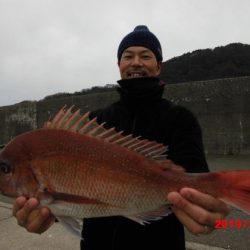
point(228, 61)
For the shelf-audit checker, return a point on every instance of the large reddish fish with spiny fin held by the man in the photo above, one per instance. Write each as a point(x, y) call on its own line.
point(80, 169)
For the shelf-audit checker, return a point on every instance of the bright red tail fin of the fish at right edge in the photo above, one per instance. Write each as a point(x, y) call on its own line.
point(235, 188)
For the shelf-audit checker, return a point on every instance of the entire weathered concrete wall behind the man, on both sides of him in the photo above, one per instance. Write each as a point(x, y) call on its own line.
point(222, 107)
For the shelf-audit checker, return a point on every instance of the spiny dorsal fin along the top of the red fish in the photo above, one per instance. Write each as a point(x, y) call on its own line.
point(74, 122)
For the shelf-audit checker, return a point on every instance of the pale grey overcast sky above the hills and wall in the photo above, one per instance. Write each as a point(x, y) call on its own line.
point(52, 46)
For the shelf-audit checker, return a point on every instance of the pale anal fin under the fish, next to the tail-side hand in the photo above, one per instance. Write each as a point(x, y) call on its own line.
point(145, 218)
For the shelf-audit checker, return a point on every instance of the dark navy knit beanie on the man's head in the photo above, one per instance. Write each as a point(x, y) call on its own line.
point(141, 36)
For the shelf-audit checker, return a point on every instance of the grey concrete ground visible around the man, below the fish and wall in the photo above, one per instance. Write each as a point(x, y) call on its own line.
point(13, 237)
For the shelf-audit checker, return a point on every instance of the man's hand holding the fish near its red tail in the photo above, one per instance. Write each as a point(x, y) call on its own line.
point(197, 211)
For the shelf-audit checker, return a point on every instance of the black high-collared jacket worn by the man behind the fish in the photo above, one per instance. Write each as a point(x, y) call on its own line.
point(141, 111)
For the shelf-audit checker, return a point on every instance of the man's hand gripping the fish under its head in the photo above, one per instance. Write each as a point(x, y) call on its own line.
point(34, 219)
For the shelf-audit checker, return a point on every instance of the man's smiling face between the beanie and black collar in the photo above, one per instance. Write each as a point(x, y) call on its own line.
point(138, 62)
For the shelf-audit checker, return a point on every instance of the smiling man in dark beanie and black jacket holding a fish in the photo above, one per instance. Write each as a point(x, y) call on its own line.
point(142, 111)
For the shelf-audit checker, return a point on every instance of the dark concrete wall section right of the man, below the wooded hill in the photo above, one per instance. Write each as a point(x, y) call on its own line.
point(223, 109)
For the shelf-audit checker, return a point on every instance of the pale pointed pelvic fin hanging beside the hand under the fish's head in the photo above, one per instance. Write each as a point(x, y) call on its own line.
point(74, 225)
